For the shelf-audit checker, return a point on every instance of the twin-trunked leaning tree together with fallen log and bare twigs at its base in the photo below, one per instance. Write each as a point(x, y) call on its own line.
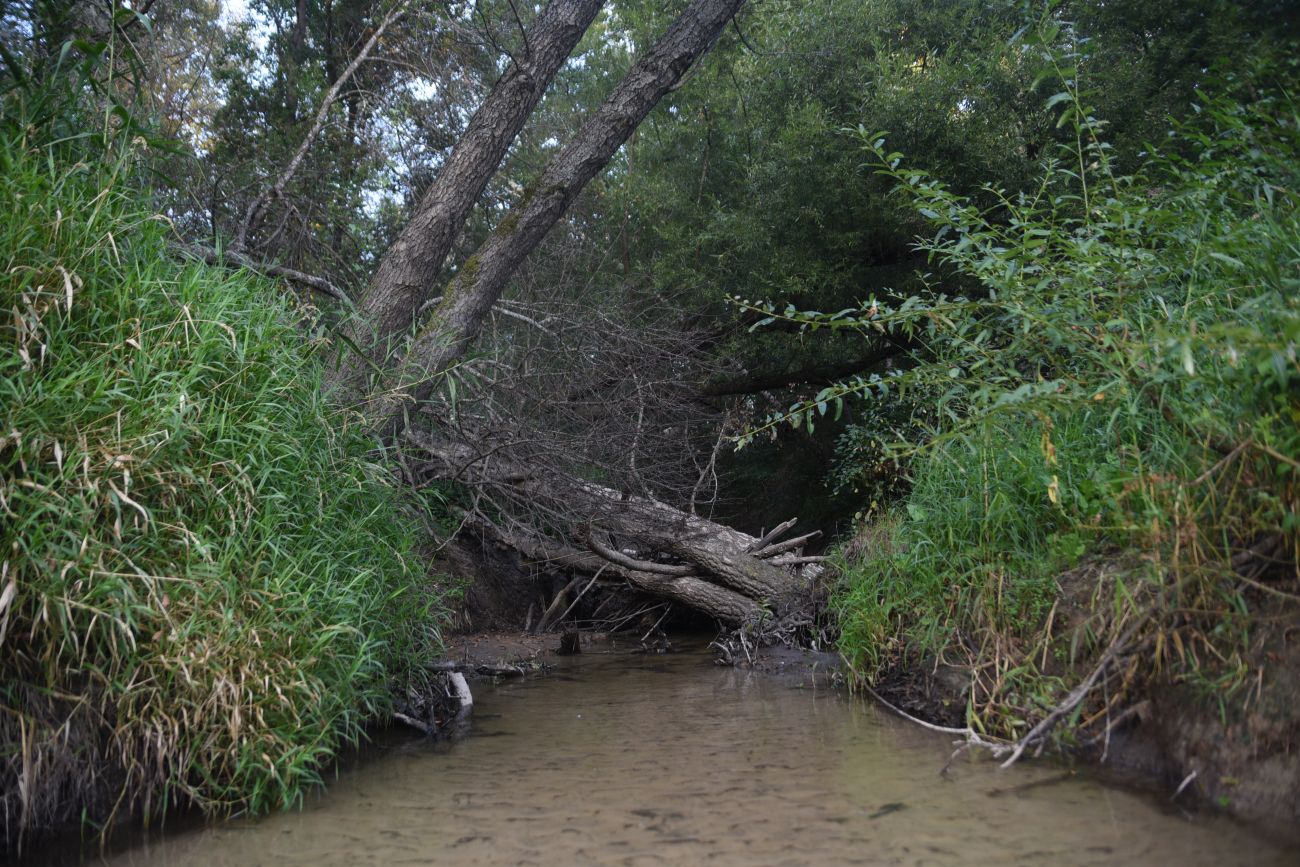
point(402, 343)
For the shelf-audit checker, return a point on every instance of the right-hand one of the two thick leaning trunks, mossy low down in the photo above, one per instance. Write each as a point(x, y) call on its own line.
point(486, 275)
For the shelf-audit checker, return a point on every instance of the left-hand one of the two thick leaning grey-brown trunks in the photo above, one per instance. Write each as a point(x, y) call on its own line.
point(410, 267)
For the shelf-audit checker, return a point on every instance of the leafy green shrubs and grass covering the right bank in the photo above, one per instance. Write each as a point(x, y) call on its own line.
point(1107, 428)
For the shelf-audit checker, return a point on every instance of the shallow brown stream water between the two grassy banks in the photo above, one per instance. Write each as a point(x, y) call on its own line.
point(635, 760)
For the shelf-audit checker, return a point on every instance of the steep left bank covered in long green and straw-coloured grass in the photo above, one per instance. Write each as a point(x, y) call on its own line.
point(209, 583)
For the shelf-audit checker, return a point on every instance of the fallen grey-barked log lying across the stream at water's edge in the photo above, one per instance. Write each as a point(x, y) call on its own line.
point(718, 569)
